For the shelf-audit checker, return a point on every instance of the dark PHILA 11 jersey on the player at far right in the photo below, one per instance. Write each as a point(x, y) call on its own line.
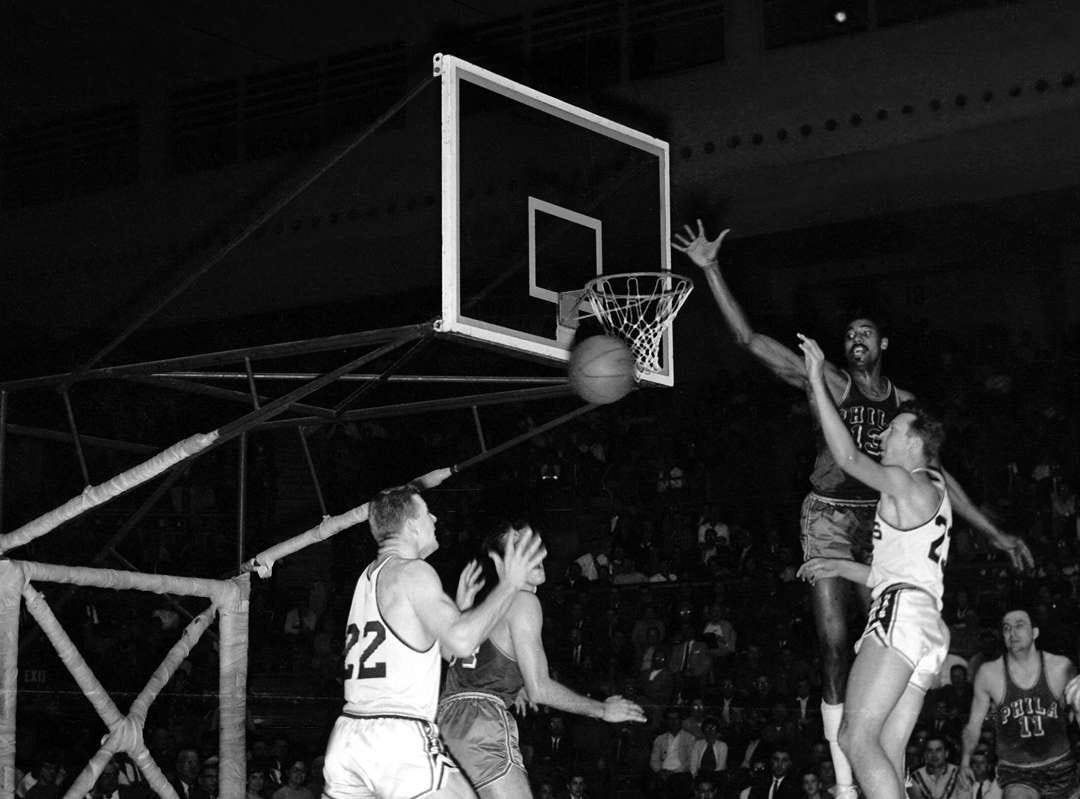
point(1032, 727)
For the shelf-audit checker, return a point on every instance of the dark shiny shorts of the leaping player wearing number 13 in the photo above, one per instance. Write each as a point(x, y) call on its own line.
point(832, 529)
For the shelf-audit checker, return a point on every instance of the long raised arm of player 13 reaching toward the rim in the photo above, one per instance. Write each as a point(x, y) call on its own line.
point(781, 361)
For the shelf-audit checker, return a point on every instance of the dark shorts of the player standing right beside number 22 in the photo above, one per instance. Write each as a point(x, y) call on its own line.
point(482, 736)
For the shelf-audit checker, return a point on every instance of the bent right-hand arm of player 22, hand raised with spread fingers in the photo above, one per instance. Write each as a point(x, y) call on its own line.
point(461, 633)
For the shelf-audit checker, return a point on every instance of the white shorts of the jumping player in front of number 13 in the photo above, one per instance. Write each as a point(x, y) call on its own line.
point(908, 621)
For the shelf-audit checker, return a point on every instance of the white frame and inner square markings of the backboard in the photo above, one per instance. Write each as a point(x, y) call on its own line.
point(453, 72)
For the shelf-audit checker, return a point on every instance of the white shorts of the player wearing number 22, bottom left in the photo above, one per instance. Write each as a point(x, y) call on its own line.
point(389, 757)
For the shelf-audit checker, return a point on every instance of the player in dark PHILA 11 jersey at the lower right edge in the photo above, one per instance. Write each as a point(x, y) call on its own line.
point(1031, 725)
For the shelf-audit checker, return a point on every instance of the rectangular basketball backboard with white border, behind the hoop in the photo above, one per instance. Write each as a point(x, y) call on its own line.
point(538, 198)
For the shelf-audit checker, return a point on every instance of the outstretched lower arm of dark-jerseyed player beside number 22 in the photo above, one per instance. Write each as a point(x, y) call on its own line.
point(525, 621)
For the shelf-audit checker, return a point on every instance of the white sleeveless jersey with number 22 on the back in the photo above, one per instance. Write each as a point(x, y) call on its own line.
point(384, 675)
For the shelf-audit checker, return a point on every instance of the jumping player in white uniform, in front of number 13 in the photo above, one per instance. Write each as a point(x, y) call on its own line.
point(906, 642)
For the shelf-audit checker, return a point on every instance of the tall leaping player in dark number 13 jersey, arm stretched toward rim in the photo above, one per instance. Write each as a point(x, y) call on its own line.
point(838, 516)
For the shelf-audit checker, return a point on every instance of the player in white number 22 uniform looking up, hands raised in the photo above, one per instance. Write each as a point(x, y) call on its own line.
point(386, 743)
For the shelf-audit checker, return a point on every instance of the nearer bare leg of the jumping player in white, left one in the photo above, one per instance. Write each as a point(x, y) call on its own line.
point(876, 685)
